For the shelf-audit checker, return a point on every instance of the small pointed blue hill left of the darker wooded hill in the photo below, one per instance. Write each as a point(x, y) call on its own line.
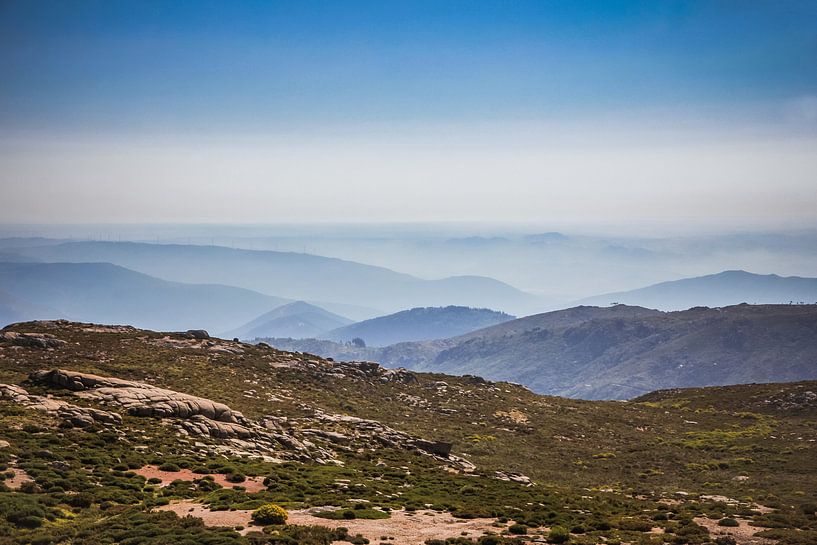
point(298, 320)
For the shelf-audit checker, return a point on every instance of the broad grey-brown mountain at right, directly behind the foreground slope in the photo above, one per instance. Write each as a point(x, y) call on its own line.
point(617, 352)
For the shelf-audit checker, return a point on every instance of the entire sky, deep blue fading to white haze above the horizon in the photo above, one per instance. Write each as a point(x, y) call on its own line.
point(408, 111)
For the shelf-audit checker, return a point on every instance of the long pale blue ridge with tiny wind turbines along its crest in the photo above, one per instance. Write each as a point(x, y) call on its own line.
point(293, 276)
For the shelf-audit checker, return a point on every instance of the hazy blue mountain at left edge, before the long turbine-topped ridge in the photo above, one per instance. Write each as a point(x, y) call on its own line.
point(101, 292)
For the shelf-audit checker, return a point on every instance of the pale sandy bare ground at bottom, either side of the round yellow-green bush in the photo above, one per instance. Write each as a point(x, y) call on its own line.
point(405, 528)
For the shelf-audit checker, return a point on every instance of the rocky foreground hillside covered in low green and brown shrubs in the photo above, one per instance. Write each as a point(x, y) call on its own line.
point(111, 434)
